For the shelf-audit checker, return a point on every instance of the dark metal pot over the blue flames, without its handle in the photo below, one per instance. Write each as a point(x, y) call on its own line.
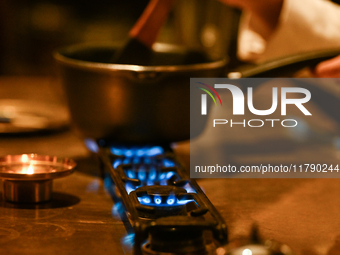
point(130, 103)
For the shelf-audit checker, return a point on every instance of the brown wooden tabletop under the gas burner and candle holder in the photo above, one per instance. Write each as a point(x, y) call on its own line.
point(303, 213)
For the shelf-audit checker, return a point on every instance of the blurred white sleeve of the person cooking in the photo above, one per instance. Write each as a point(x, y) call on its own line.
point(304, 25)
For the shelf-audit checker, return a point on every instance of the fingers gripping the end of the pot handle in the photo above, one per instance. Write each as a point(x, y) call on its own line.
point(328, 69)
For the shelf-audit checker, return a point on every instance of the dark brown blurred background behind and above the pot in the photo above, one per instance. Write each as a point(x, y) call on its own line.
point(31, 30)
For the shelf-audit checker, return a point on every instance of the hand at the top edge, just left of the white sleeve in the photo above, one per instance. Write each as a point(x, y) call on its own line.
point(267, 11)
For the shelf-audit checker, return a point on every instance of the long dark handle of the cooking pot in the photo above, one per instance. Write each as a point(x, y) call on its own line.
point(283, 67)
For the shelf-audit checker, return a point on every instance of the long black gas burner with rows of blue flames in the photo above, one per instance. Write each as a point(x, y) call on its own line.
point(168, 211)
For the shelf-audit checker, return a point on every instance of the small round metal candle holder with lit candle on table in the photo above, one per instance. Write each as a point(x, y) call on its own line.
point(27, 178)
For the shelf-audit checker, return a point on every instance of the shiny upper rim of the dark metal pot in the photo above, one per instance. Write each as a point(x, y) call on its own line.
point(109, 67)
